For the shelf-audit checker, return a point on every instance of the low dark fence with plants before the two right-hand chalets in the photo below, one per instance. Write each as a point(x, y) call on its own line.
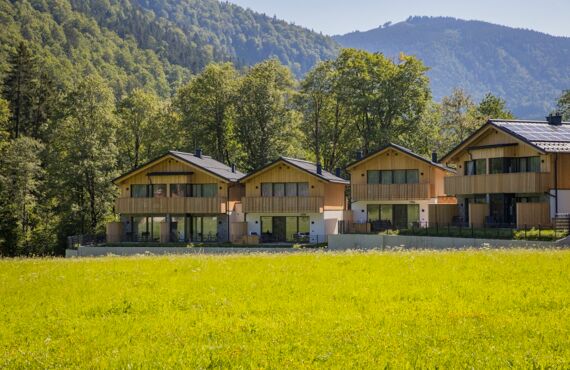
point(483, 231)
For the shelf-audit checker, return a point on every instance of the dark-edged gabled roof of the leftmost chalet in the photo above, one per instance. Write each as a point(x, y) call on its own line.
point(204, 162)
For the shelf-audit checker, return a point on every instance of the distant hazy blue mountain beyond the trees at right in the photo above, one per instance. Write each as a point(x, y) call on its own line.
point(528, 69)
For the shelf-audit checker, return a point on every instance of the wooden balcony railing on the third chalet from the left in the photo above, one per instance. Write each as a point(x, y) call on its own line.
point(390, 191)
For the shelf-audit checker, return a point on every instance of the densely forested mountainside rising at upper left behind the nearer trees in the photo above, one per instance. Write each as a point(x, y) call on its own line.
point(152, 43)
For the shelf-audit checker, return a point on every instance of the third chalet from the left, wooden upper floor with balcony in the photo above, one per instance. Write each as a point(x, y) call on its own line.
point(396, 188)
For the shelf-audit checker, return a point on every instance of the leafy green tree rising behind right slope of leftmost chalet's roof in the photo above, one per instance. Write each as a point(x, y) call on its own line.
point(206, 107)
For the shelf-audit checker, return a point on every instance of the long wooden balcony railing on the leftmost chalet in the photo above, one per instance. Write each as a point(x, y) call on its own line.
point(133, 206)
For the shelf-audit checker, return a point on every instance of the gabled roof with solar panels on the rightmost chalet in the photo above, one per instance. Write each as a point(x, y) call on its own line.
point(541, 135)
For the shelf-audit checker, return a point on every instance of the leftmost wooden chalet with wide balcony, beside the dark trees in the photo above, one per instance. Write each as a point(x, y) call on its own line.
point(177, 197)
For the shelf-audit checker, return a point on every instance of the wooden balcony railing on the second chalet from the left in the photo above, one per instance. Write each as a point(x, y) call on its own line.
point(283, 204)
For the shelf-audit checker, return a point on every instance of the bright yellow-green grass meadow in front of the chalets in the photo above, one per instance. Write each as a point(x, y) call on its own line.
point(468, 309)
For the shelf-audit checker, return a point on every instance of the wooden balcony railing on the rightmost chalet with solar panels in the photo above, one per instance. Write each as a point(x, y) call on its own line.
point(525, 182)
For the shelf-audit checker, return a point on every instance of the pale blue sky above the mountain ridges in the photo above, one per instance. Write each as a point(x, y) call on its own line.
point(334, 17)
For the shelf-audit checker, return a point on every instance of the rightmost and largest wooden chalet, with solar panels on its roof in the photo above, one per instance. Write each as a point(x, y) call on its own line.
point(512, 172)
